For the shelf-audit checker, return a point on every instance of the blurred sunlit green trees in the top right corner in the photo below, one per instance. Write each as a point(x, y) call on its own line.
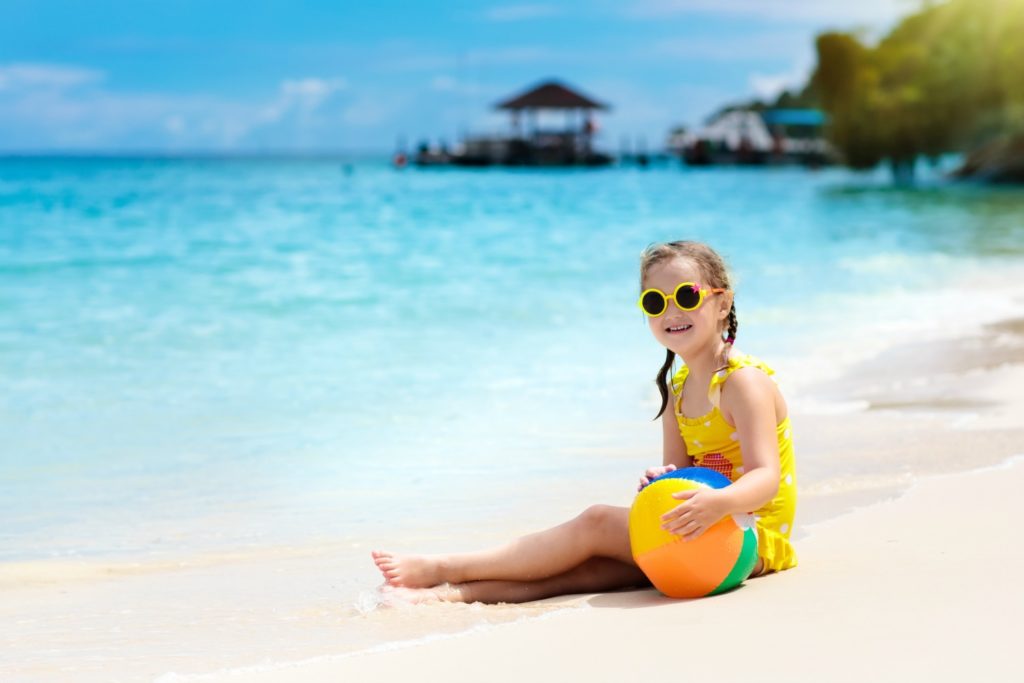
point(946, 79)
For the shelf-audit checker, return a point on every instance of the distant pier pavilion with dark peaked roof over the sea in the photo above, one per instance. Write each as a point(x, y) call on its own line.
point(528, 144)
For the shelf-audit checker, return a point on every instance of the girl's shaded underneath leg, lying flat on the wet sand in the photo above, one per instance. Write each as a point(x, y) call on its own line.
point(598, 575)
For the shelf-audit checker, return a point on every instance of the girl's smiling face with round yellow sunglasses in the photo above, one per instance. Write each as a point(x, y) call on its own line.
point(687, 332)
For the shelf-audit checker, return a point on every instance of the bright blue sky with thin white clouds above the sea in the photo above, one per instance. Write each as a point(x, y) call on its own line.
point(183, 76)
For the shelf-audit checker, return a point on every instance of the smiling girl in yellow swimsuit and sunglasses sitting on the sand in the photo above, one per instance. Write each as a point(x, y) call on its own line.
point(727, 415)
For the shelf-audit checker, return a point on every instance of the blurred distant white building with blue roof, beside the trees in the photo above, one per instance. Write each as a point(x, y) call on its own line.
point(755, 138)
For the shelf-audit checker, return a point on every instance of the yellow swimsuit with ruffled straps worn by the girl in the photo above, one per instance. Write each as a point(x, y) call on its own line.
point(713, 444)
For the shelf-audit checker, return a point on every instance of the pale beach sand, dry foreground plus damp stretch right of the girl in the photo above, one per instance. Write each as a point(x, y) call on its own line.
point(903, 576)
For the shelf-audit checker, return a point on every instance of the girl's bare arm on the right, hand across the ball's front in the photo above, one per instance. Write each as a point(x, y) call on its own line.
point(751, 403)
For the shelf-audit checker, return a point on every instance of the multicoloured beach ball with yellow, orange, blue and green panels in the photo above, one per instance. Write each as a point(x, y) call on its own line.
point(716, 562)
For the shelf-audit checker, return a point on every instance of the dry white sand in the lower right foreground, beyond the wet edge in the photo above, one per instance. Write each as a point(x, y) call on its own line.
point(926, 587)
